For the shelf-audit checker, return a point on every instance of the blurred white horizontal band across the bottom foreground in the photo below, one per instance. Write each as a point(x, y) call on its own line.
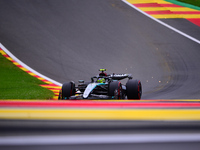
point(99, 139)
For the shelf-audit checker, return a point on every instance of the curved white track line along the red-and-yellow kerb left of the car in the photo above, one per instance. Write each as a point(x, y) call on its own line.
point(27, 67)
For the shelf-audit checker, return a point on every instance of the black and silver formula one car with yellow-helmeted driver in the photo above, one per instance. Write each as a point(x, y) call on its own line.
point(103, 86)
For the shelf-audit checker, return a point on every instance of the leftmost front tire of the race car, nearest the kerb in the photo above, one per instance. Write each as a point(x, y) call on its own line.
point(68, 89)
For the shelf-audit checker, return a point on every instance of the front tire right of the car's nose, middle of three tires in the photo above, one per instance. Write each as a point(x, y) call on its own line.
point(115, 90)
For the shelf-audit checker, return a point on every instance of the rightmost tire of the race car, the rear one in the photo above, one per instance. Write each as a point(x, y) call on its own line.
point(134, 89)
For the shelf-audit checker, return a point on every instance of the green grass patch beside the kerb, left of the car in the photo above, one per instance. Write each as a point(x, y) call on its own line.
point(17, 84)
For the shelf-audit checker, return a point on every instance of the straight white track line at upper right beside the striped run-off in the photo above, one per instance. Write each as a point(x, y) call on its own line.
point(162, 23)
